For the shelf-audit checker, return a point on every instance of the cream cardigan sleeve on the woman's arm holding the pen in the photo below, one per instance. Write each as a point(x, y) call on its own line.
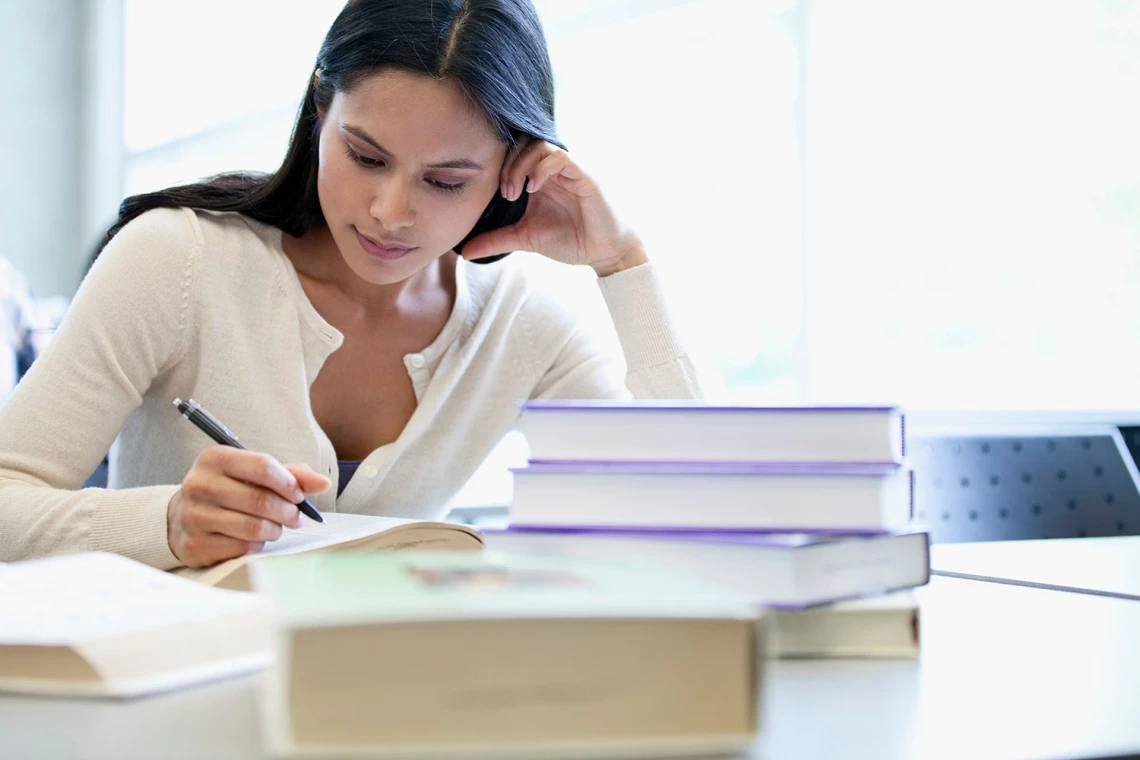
point(131, 321)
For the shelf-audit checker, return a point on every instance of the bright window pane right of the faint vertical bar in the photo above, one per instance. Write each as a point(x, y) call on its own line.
point(974, 203)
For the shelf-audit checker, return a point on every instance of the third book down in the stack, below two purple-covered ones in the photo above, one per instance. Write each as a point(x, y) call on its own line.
point(775, 570)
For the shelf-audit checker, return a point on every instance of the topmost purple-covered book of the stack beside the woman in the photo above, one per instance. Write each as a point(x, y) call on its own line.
point(674, 431)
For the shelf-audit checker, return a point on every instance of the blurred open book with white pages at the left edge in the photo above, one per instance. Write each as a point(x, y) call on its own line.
point(100, 625)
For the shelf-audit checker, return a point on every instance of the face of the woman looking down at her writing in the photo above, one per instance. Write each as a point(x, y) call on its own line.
point(408, 167)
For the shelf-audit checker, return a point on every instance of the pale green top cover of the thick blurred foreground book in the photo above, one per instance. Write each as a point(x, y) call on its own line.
point(345, 589)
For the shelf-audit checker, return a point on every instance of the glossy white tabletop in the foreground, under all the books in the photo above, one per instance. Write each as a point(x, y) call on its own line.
point(1006, 672)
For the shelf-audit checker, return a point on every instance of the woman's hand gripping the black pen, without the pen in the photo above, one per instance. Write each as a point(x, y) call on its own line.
point(234, 501)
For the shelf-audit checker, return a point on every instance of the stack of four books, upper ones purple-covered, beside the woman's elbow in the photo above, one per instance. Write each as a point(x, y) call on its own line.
point(796, 506)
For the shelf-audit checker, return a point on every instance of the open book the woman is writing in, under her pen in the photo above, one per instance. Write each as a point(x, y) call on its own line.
point(338, 533)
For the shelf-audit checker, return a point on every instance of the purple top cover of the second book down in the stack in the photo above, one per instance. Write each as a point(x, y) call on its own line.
point(826, 469)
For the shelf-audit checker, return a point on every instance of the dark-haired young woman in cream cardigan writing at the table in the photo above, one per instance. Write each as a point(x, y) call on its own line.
point(331, 313)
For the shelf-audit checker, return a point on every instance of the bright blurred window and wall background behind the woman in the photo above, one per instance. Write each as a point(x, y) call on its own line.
point(929, 202)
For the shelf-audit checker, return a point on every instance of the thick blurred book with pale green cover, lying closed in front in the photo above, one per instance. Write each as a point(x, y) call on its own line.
point(431, 655)
